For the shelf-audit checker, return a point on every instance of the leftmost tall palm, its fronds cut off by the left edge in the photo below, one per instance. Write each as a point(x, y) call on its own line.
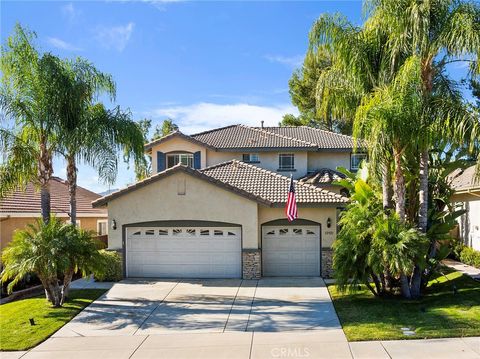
point(29, 98)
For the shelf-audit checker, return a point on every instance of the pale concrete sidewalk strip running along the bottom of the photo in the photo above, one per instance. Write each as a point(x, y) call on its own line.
point(248, 345)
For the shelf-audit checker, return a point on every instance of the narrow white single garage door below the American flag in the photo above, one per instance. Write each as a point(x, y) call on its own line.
point(291, 251)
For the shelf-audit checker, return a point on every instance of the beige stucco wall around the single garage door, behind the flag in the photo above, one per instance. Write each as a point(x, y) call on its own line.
point(317, 214)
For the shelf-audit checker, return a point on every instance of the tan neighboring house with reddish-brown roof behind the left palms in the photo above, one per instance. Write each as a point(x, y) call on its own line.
point(23, 207)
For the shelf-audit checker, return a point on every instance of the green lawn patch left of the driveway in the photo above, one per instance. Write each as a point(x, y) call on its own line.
point(16, 333)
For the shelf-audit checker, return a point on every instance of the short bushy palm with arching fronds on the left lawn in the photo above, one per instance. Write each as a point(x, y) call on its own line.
point(48, 249)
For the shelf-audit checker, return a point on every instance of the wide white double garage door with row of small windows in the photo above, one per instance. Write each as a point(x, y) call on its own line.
point(183, 252)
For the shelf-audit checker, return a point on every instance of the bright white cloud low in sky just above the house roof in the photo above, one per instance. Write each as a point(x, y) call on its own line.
point(204, 115)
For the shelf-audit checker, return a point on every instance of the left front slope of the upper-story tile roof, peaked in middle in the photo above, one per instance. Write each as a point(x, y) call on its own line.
point(240, 136)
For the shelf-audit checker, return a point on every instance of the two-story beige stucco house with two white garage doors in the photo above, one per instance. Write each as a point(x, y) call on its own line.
point(214, 205)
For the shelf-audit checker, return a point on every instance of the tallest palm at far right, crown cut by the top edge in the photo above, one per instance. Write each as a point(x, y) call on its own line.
point(438, 32)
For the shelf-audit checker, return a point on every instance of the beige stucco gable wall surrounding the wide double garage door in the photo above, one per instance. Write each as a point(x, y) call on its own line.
point(201, 201)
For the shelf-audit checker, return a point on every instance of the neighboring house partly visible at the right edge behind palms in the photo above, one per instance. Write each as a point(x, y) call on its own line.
point(467, 193)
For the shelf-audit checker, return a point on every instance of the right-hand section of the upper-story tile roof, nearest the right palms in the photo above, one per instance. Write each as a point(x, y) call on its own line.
point(323, 139)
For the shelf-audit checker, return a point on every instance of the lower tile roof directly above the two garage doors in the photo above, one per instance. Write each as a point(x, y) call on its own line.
point(266, 187)
